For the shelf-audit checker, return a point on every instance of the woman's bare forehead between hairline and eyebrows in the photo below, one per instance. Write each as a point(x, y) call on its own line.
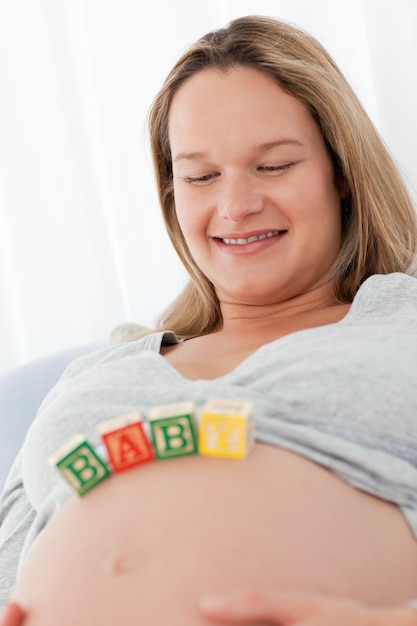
point(238, 104)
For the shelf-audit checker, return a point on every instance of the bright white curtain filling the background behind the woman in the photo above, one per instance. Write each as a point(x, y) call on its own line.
point(82, 247)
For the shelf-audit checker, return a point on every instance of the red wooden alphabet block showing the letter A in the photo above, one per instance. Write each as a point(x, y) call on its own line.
point(126, 442)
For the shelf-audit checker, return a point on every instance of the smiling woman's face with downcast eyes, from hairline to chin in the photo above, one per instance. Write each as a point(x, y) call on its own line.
point(254, 186)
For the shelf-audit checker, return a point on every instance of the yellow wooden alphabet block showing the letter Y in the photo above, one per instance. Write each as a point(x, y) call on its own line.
point(227, 428)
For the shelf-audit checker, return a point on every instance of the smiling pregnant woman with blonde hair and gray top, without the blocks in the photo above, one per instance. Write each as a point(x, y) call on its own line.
point(298, 235)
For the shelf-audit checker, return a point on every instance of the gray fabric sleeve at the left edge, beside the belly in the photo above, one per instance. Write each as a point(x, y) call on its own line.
point(16, 518)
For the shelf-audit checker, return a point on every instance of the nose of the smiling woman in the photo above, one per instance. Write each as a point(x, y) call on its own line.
point(239, 198)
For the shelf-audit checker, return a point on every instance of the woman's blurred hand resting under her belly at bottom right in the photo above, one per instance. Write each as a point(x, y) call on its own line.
point(297, 608)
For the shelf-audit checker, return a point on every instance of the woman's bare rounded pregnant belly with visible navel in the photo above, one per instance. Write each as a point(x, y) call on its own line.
point(145, 545)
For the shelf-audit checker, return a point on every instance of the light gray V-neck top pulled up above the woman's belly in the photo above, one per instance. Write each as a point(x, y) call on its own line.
point(343, 395)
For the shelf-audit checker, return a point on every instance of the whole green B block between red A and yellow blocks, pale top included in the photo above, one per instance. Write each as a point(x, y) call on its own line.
point(173, 430)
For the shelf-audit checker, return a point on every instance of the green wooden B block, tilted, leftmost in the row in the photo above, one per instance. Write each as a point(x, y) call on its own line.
point(80, 465)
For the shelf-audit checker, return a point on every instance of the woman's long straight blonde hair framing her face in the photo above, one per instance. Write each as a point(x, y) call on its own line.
point(379, 230)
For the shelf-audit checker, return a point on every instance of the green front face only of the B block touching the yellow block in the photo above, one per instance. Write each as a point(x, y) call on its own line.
point(174, 436)
